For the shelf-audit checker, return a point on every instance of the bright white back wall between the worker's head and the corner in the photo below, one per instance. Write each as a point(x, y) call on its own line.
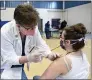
point(48, 14)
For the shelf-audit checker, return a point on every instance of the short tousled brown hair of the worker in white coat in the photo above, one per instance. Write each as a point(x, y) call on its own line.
point(25, 14)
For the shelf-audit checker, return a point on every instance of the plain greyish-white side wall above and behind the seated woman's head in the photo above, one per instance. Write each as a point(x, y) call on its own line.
point(81, 14)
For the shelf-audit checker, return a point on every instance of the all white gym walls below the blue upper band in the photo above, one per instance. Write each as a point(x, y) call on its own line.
point(72, 15)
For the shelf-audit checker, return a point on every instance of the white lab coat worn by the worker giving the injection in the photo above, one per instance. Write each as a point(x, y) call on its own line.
point(11, 49)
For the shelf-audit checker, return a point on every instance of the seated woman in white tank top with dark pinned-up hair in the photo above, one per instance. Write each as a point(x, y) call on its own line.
point(74, 64)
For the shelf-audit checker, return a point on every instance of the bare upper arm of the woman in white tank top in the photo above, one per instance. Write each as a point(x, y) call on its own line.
point(54, 70)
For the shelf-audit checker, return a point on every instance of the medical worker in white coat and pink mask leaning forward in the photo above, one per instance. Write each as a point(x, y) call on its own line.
point(21, 43)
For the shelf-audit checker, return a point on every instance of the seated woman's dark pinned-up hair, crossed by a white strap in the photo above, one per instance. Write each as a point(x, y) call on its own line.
point(76, 32)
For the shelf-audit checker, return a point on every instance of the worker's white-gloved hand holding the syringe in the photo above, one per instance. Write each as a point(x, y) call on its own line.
point(35, 55)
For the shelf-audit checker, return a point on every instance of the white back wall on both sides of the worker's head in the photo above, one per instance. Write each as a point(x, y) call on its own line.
point(45, 14)
